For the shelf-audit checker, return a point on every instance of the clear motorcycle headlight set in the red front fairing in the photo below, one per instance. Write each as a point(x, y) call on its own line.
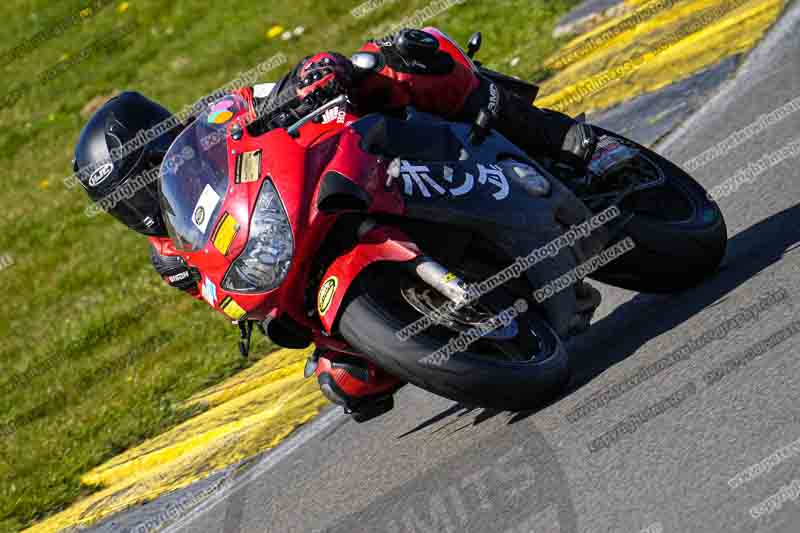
point(265, 261)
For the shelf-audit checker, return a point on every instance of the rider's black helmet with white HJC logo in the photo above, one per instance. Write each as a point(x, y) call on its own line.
point(118, 156)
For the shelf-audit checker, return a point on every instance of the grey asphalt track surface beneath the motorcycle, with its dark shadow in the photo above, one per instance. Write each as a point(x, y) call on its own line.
point(432, 465)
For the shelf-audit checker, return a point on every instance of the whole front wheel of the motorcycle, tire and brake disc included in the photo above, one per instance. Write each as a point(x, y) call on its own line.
point(515, 367)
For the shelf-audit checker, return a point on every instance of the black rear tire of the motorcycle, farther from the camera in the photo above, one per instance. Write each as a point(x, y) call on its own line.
point(680, 234)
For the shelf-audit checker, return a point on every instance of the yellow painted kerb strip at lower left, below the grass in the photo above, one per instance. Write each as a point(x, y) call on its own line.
point(248, 414)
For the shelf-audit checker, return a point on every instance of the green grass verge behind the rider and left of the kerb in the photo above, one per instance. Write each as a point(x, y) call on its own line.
point(96, 352)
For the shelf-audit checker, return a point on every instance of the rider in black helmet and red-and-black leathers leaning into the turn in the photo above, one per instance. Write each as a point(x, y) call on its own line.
point(386, 74)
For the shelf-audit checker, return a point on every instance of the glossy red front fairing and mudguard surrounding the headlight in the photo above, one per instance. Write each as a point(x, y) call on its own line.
point(297, 166)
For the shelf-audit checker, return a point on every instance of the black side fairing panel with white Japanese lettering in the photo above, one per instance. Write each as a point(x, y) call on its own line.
point(481, 192)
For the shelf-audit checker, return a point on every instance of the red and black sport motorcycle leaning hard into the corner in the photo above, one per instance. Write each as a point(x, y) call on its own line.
point(344, 230)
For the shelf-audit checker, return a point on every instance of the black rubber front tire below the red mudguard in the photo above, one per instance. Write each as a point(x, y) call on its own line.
point(374, 312)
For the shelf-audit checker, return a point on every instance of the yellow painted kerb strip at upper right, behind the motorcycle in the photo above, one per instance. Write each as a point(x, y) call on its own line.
point(669, 46)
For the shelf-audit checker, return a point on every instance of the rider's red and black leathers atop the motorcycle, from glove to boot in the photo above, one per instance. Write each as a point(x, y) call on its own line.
point(438, 84)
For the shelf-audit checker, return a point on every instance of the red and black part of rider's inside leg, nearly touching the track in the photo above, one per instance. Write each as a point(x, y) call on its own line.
point(361, 388)
